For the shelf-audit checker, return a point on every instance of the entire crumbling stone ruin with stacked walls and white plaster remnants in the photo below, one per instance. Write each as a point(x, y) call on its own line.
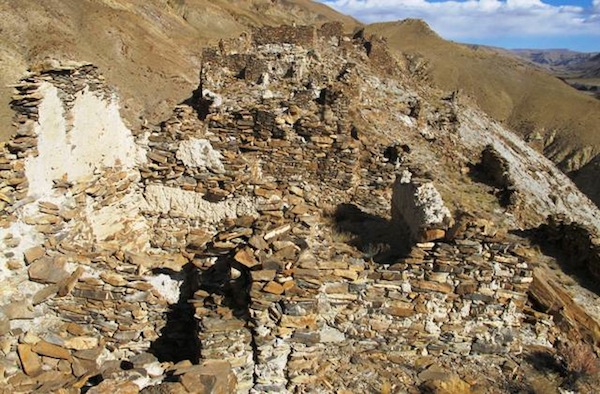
point(198, 249)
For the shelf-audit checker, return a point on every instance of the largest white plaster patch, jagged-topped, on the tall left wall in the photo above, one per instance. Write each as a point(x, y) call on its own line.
point(72, 145)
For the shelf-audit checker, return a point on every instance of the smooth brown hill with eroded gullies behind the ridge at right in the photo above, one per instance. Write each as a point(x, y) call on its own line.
point(527, 99)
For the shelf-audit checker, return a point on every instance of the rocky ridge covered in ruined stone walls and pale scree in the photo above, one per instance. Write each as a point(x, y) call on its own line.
point(310, 220)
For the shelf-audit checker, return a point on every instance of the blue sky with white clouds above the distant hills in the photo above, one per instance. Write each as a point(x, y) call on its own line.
point(572, 24)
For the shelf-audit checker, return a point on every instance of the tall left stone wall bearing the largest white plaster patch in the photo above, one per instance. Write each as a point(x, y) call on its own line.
point(80, 290)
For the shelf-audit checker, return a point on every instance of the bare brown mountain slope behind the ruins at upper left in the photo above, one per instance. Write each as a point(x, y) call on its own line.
point(149, 49)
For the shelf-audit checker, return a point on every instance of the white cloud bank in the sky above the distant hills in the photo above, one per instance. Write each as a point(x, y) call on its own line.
point(482, 18)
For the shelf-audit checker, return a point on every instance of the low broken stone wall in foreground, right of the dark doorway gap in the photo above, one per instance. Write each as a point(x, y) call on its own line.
point(308, 310)
